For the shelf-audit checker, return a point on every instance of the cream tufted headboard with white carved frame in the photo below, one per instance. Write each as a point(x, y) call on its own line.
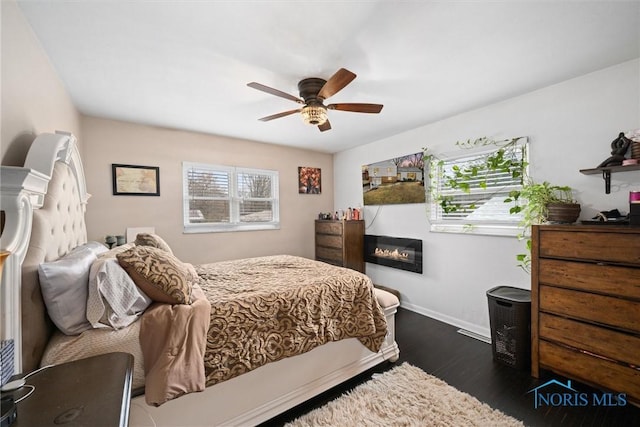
point(44, 205)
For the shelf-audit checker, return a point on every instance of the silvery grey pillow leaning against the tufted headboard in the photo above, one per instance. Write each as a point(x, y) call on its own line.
point(64, 285)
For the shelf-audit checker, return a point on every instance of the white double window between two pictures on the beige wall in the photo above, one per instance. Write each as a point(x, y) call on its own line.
point(223, 198)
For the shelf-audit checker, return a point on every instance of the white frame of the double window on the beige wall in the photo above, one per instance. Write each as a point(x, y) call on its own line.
point(234, 199)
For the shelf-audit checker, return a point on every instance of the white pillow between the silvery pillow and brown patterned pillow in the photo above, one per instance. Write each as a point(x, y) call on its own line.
point(114, 299)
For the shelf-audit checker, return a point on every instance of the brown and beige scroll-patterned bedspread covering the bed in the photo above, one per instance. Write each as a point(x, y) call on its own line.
point(268, 308)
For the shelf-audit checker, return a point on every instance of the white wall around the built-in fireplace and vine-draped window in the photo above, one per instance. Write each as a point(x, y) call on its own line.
point(570, 127)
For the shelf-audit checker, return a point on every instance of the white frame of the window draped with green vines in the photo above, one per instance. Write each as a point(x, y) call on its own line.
point(494, 227)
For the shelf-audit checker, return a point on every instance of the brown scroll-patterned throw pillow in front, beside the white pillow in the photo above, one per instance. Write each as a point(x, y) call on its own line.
point(160, 275)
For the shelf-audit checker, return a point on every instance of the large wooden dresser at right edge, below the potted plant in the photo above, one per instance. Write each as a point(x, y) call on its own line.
point(585, 304)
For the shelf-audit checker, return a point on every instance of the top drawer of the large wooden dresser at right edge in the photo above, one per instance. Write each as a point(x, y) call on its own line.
point(603, 247)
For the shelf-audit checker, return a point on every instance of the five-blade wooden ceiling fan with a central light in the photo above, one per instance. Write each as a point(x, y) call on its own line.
point(313, 92)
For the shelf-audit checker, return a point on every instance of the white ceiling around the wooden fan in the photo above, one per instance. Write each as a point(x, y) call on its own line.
point(185, 64)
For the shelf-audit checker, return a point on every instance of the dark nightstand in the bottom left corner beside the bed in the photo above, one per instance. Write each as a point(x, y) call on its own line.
point(88, 392)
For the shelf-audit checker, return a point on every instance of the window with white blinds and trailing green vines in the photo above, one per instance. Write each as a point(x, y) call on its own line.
point(470, 193)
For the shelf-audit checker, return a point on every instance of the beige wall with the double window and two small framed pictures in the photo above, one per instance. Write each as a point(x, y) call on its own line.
point(111, 141)
